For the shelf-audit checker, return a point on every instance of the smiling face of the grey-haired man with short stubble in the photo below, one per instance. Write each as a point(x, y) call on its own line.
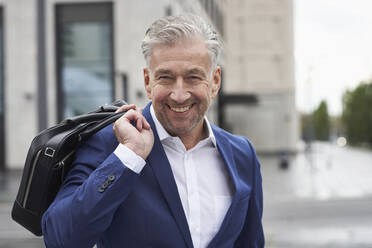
point(181, 84)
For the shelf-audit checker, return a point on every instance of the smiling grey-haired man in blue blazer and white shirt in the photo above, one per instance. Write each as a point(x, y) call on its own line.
point(164, 177)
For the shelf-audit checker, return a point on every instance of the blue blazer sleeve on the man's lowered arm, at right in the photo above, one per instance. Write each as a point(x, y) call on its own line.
point(252, 235)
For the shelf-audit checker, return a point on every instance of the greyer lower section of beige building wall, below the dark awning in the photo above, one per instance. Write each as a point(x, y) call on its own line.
point(270, 125)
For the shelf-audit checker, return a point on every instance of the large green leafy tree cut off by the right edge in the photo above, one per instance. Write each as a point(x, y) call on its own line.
point(357, 114)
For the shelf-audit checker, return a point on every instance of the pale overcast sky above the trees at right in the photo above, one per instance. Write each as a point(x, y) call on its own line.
point(333, 50)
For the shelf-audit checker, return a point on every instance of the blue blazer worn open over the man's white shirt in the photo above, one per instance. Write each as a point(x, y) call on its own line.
point(105, 203)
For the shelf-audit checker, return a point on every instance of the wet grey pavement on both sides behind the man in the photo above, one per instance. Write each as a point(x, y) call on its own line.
point(322, 200)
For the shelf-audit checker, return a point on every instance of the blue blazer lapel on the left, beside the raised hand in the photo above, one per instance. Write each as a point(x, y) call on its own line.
point(163, 173)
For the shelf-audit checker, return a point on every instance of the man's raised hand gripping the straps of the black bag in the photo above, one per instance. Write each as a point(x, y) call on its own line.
point(138, 138)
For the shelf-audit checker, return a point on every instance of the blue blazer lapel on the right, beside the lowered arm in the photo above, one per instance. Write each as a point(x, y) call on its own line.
point(225, 149)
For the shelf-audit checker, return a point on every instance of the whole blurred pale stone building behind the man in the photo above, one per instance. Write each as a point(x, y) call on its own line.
point(65, 57)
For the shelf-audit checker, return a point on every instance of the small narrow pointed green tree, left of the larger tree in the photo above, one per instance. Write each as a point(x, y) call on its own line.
point(321, 122)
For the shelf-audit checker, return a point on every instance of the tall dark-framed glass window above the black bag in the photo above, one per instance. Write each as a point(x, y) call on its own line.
point(85, 57)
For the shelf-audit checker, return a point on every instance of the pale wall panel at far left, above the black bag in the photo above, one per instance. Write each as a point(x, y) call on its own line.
point(20, 78)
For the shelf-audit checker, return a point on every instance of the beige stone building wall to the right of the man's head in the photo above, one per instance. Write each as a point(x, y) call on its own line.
point(260, 61)
